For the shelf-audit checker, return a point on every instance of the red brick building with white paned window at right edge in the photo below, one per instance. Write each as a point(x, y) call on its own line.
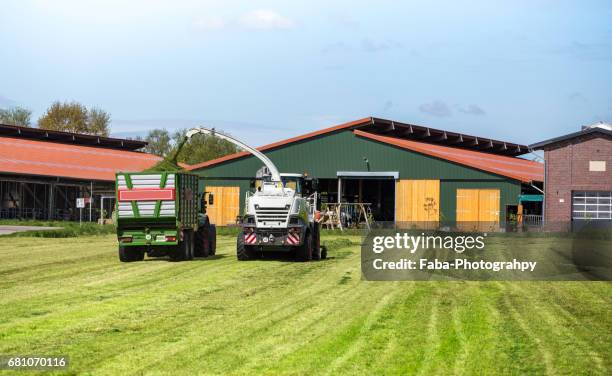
point(578, 176)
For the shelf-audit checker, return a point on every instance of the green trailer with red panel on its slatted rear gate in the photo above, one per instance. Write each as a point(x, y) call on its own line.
point(162, 214)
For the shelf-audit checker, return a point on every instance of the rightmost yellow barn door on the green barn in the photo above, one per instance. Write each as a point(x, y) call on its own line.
point(477, 209)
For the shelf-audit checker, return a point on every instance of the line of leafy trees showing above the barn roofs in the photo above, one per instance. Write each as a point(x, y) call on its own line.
point(77, 118)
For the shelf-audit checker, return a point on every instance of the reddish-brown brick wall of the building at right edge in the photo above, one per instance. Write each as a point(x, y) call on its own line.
point(567, 170)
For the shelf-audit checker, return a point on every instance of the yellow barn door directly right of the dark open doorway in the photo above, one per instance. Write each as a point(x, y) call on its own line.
point(417, 201)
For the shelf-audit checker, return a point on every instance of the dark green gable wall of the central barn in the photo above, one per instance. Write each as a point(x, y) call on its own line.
point(323, 156)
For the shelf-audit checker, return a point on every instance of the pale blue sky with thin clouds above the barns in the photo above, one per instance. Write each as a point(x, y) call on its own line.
point(520, 71)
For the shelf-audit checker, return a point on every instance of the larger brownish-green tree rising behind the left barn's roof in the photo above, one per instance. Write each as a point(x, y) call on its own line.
point(74, 117)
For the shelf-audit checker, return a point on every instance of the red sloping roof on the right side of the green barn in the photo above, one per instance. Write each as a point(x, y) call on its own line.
point(515, 168)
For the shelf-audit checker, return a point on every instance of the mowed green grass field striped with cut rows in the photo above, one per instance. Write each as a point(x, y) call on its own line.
point(219, 316)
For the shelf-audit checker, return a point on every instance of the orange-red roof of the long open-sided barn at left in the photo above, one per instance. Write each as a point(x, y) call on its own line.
point(70, 161)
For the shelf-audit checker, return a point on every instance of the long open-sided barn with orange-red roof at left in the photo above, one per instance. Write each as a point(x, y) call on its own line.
point(42, 172)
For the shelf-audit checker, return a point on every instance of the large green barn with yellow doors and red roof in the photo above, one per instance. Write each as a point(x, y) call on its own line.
point(404, 172)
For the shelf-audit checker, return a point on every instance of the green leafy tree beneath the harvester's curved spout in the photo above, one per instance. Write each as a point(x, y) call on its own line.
point(201, 148)
